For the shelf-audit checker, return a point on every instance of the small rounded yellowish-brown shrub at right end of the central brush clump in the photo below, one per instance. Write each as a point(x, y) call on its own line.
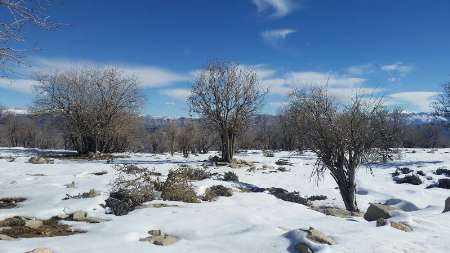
point(177, 187)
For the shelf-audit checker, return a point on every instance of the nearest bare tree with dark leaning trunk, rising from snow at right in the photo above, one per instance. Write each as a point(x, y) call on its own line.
point(343, 137)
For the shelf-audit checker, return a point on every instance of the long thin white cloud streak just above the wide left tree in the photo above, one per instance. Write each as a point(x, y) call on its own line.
point(148, 76)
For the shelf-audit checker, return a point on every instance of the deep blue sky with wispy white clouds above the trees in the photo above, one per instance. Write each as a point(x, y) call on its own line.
point(396, 49)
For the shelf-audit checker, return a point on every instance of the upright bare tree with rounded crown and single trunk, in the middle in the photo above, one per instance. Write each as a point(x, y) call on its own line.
point(226, 96)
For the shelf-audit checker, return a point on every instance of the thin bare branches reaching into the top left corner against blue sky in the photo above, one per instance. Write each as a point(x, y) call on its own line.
point(16, 15)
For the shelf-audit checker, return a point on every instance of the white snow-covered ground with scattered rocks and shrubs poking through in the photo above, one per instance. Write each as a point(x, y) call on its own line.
point(245, 222)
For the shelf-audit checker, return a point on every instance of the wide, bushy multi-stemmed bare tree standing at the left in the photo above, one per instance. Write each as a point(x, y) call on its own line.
point(97, 105)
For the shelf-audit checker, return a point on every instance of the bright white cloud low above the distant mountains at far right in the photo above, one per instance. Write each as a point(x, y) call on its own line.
point(419, 100)
